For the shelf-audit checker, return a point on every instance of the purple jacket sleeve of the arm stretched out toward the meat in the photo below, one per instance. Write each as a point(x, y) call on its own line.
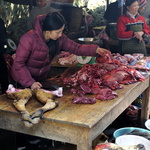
point(75, 48)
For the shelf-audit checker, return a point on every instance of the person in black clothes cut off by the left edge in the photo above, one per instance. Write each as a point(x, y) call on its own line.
point(3, 46)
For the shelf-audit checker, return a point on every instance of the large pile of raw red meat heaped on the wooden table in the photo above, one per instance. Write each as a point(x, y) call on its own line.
point(102, 78)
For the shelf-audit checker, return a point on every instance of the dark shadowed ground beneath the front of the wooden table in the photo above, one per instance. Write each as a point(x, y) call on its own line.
point(14, 141)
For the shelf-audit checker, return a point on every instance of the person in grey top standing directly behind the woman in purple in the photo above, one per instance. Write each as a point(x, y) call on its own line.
point(42, 8)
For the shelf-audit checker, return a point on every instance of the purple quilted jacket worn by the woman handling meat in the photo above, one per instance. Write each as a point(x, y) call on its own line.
point(32, 62)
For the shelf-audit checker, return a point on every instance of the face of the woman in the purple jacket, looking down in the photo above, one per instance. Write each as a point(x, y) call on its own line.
point(54, 34)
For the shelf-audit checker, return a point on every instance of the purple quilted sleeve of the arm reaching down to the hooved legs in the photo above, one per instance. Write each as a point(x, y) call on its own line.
point(19, 71)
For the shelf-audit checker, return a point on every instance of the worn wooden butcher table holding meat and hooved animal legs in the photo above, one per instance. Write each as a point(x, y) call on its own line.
point(78, 124)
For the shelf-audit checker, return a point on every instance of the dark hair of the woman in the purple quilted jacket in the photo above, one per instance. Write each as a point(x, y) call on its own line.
point(53, 21)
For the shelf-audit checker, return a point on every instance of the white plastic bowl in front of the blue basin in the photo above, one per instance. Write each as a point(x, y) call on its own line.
point(129, 140)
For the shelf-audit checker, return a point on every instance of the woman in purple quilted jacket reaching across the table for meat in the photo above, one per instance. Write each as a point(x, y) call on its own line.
point(38, 47)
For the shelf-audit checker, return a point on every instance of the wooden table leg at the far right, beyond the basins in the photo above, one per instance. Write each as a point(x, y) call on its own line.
point(145, 112)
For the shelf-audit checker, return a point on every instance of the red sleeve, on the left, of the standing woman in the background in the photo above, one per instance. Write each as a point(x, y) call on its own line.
point(121, 29)
